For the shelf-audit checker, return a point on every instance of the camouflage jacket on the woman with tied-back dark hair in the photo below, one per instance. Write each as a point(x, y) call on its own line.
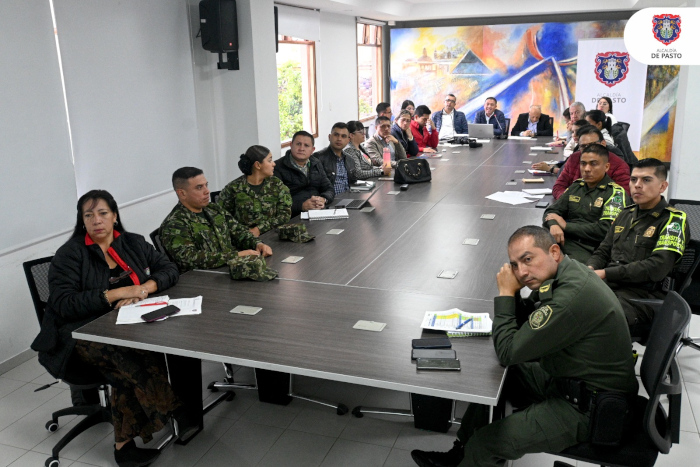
point(267, 210)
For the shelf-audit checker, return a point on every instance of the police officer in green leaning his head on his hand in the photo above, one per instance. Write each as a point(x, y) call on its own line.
point(563, 349)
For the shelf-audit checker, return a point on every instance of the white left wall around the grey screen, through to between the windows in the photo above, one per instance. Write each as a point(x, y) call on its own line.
point(234, 109)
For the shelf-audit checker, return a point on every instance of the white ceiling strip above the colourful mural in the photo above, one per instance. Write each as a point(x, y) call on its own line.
point(416, 10)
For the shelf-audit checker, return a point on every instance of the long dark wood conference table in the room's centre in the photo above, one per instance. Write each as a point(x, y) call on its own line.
point(382, 267)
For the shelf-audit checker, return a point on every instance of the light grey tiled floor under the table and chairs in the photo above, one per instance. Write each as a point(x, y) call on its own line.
point(246, 432)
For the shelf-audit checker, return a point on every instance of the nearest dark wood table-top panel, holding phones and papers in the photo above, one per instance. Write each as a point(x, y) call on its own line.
point(306, 328)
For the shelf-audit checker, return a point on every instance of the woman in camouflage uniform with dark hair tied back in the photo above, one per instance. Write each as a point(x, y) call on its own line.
point(257, 199)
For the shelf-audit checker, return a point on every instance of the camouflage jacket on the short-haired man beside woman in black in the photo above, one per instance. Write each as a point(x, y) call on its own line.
point(207, 240)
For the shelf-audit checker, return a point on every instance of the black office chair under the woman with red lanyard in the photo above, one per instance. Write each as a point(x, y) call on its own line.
point(82, 379)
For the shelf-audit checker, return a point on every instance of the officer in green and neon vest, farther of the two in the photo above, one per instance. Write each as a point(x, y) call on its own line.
point(581, 217)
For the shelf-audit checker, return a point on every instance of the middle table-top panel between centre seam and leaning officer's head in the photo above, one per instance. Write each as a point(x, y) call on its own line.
point(435, 243)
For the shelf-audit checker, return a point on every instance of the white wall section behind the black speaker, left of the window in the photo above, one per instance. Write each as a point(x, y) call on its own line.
point(237, 108)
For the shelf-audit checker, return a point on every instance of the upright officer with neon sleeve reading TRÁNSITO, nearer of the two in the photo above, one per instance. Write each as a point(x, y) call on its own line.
point(643, 243)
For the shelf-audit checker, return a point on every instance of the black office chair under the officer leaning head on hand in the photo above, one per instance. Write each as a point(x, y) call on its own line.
point(653, 430)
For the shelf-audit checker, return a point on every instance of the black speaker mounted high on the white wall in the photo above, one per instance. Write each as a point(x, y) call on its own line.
point(219, 25)
